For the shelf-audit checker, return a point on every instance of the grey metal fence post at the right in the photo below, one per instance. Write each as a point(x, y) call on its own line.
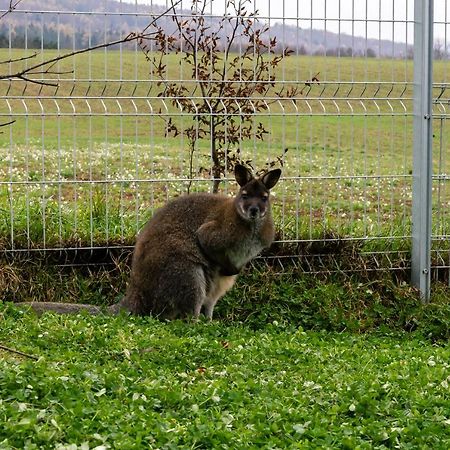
point(422, 157)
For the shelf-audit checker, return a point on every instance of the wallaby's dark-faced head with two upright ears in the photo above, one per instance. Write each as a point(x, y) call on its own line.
point(252, 201)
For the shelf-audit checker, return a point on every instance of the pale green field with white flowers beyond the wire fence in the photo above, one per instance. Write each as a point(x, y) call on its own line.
point(87, 161)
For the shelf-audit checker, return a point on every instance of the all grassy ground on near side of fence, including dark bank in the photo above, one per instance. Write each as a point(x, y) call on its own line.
point(290, 361)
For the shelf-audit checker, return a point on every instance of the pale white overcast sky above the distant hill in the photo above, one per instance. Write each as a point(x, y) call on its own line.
point(388, 19)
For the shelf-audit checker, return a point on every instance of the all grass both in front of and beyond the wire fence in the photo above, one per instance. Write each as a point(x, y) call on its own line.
point(292, 361)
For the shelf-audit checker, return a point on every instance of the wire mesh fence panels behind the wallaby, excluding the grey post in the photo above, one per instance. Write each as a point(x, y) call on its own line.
point(103, 137)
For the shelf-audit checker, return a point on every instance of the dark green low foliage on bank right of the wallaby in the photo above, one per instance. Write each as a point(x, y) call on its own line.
point(335, 304)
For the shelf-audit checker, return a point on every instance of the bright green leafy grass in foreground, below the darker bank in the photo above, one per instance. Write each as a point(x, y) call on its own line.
point(137, 383)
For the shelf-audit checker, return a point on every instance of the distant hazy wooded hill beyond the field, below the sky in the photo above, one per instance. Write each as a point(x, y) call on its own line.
point(78, 24)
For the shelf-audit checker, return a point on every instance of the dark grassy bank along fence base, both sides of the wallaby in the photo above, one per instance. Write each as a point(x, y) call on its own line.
point(335, 303)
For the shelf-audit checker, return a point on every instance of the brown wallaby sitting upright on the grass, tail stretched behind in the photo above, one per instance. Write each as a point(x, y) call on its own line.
point(191, 251)
